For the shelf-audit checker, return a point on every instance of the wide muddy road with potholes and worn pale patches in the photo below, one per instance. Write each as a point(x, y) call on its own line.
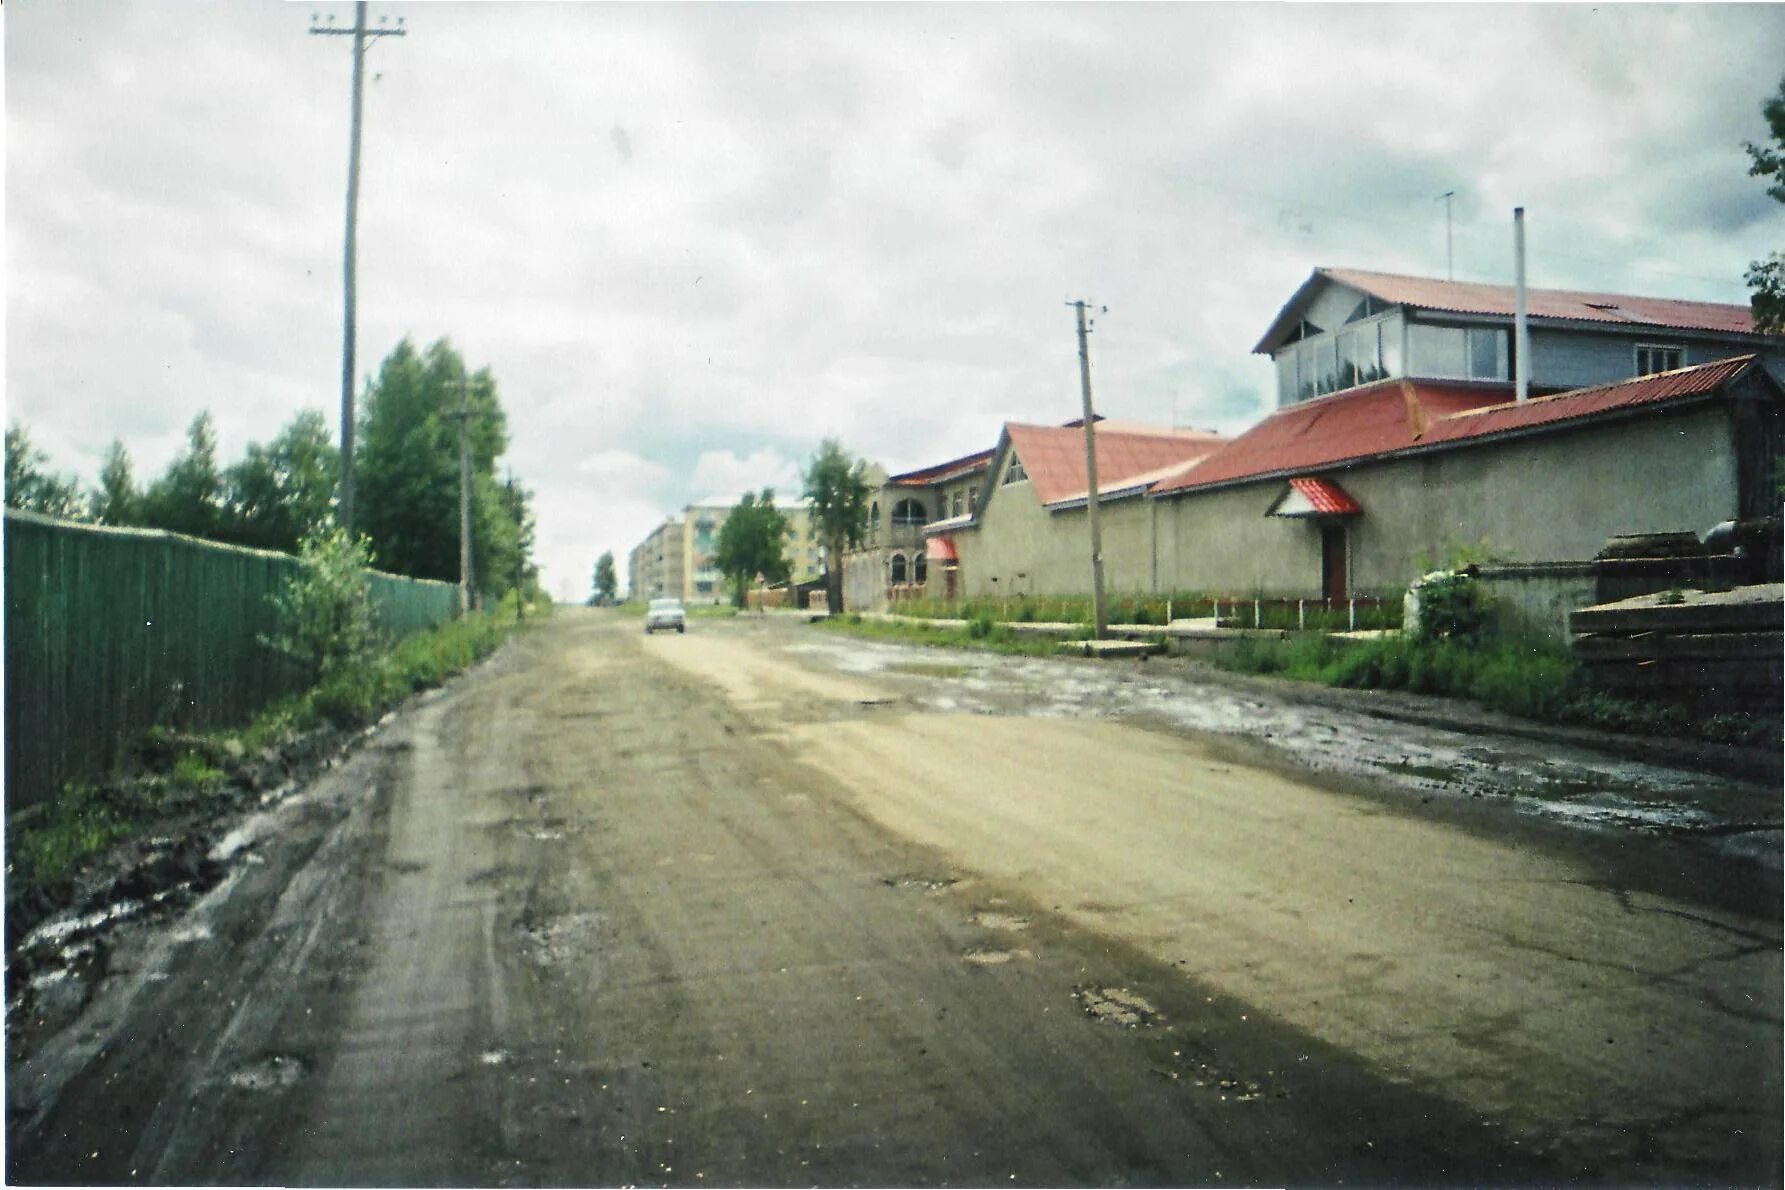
point(758, 905)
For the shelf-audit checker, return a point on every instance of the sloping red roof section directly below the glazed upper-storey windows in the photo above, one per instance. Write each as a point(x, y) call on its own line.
point(1331, 429)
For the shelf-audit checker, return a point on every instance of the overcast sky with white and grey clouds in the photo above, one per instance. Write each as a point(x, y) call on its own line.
point(692, 242)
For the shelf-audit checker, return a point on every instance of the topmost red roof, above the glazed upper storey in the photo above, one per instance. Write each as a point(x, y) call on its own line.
point(1499, 301)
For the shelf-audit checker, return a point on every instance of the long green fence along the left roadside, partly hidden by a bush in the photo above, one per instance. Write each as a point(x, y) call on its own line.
point(115, 631)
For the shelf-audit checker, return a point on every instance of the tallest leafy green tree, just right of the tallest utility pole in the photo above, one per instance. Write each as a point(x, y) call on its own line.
point(406, 495)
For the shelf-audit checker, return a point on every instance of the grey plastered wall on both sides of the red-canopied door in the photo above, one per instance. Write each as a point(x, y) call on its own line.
point(1545, 499)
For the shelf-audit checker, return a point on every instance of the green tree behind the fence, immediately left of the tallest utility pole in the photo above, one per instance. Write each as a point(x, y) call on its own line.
point(283, 492)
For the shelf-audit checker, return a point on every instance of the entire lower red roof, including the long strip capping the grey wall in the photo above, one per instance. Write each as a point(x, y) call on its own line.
point(1400, 415)
